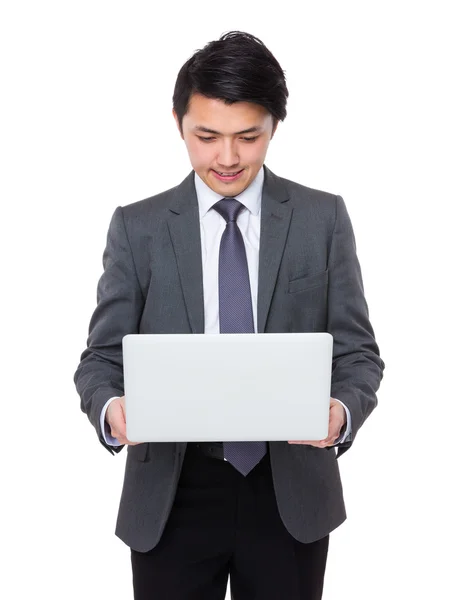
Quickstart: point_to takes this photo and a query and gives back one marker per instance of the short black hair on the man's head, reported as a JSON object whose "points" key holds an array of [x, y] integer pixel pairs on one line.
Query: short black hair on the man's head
{"points": [[236, 68]]}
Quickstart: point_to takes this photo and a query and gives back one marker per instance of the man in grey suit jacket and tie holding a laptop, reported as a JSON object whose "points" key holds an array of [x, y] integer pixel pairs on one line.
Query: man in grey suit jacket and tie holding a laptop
{"points": [[261, 513]]}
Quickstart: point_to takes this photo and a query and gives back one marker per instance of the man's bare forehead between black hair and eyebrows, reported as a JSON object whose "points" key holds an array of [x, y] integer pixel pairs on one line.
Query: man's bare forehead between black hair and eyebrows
{"points": [[211, 113]]}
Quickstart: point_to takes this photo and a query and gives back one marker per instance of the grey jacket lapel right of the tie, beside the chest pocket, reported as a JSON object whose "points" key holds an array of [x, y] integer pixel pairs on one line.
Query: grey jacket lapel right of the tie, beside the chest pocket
{"points": [[275, 222]]}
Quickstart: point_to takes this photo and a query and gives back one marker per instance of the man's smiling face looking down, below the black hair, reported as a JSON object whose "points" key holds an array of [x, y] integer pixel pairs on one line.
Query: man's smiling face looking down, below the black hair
{"points": [[226, 139]]}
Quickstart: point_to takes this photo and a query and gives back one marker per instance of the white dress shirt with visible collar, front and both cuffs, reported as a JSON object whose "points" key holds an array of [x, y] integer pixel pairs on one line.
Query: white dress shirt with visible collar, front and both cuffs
{"points": [[212, 226]]}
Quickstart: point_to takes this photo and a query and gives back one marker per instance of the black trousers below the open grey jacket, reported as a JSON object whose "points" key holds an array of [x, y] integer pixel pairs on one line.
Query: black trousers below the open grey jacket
{"points": [[221, 524]]}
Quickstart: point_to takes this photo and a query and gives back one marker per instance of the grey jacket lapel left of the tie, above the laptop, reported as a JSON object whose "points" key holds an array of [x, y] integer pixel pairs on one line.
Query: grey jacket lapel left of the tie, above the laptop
{"points": [[184, 229]]}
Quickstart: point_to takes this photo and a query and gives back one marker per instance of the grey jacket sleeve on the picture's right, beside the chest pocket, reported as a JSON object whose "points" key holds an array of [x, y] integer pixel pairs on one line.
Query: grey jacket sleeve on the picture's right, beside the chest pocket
{"points": [[357, 368]]}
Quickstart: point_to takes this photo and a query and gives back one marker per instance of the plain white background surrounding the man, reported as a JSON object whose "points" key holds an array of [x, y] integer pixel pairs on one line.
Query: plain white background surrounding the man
{"points": [[86, 126]]}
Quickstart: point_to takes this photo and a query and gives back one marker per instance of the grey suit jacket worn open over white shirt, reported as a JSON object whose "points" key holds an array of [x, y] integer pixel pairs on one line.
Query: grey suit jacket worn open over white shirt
{"points": [[309, 280]]}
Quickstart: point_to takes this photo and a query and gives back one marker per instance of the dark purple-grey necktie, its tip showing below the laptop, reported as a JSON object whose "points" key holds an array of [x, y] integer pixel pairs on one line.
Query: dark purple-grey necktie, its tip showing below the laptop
{"points": [[235, 314]]}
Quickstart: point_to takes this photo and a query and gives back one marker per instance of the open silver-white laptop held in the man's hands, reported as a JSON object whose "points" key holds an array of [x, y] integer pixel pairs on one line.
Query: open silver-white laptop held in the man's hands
{"points": [[227, 387]]}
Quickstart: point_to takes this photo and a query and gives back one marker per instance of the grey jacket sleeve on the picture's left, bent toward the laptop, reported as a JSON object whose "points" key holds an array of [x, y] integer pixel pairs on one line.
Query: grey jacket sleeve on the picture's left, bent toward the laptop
{"points": [[120, 304]]}
